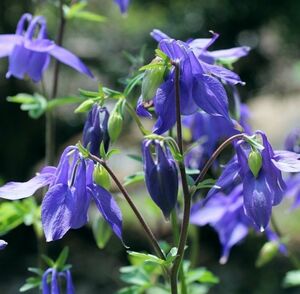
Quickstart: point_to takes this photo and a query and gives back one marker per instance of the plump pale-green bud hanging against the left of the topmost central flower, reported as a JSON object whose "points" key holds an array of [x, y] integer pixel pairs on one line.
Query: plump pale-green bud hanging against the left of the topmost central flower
{"points": [[153, 78]]}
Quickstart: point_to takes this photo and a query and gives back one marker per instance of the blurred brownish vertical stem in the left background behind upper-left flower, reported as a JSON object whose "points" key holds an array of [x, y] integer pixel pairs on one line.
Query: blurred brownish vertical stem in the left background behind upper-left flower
{"points": [[50, 117]]}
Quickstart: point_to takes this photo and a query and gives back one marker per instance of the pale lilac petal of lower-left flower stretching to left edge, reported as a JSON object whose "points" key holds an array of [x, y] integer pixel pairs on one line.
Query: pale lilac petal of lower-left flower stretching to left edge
{"points": [[19, 190]]}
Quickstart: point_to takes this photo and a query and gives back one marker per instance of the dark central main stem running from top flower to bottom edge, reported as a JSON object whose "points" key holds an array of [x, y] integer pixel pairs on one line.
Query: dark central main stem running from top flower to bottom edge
{"points": [[185, 188]]}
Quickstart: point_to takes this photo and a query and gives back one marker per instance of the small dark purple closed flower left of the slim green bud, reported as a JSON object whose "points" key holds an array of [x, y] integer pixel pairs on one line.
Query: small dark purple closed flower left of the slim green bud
{"points": [[96, 129]]}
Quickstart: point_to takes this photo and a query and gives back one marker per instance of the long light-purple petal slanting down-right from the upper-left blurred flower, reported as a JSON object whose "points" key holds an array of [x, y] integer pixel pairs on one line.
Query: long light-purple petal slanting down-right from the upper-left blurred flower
{"points": [[70, 59]]}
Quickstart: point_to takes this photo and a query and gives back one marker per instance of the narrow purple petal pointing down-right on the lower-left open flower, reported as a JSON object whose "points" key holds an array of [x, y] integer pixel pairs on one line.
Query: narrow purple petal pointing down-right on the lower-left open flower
{"points": [[108, 208]]}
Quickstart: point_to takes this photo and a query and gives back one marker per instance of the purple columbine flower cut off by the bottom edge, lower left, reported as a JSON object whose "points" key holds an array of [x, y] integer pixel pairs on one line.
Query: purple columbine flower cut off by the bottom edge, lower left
{"points": [[54, 287]]}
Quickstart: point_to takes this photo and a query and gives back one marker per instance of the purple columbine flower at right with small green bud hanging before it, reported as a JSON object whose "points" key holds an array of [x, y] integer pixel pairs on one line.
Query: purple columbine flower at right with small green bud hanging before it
{"points": [[265, 187]]}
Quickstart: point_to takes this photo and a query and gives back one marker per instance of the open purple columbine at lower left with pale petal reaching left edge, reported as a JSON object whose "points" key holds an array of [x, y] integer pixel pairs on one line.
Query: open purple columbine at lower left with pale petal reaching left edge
{"points": [[71, 190]]}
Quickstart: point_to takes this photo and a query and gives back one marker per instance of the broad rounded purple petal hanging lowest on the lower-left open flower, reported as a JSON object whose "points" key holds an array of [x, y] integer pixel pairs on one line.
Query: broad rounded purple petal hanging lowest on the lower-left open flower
{"points": [[57, 207]]}
